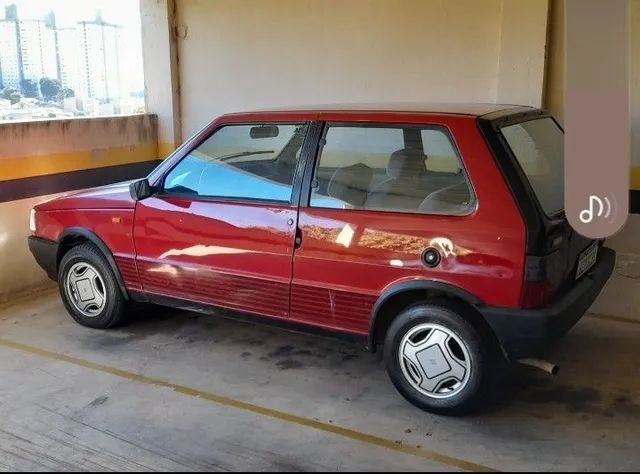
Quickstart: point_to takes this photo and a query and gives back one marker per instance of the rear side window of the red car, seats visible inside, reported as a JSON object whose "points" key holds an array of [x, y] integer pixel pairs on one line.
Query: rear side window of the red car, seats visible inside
{"points": [[391, 168]]}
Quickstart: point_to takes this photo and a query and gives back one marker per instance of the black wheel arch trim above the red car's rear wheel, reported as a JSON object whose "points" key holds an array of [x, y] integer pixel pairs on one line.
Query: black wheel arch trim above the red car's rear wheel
{"points": [[399, 295]]}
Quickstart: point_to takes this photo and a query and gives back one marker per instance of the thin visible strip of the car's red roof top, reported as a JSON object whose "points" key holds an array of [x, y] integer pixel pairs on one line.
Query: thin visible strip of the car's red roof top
{"points": [[453, 108]]}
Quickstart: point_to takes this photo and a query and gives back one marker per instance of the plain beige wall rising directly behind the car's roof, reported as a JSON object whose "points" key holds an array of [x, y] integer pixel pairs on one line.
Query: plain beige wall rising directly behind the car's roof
{"points": [[241, 54]]}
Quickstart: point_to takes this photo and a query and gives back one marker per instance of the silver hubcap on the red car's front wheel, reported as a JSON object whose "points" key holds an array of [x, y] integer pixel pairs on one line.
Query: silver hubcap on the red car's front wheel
{"points": [[86, 289]]}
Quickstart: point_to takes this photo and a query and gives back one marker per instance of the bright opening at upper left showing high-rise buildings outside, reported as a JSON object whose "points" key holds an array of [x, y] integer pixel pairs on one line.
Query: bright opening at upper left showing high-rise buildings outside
{"points": [[70, 61]]}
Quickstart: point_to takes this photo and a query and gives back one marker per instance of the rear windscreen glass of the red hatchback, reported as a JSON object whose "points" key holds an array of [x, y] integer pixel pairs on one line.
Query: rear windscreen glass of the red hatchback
{"points": [[538, 145]]}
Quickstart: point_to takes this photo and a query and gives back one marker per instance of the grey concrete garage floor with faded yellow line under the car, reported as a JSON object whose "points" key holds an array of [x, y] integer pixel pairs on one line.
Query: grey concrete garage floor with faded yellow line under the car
{"points": [[182, 391]]}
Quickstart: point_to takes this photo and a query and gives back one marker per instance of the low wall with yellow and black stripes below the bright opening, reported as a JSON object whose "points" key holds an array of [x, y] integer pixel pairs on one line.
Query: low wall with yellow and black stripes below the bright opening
{"points": [[37, 159]]}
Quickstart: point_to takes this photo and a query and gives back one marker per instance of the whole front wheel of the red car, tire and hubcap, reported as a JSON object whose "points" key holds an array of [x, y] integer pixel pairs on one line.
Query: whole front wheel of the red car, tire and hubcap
{"points": [[89, 288]]}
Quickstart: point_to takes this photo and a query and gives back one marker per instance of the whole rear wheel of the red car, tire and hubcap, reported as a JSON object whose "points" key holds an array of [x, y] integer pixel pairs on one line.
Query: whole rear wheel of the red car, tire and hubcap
{"points": [[438, 359]]}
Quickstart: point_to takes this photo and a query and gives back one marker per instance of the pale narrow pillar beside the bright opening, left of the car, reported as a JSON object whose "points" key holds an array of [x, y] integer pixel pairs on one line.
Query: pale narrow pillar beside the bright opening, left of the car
{"points": [[161, 76]]}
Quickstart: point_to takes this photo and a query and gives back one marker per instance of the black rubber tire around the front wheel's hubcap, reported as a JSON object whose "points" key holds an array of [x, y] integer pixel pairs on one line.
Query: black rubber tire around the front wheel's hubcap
{"points": [[113, 310]]}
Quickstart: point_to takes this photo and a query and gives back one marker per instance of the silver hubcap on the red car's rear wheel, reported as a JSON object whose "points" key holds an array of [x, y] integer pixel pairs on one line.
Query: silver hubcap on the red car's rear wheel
{"points": [[434, 360]]}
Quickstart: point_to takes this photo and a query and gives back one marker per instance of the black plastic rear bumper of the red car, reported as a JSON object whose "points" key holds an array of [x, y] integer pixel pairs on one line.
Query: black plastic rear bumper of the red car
{"points": [[525, 332]]}
